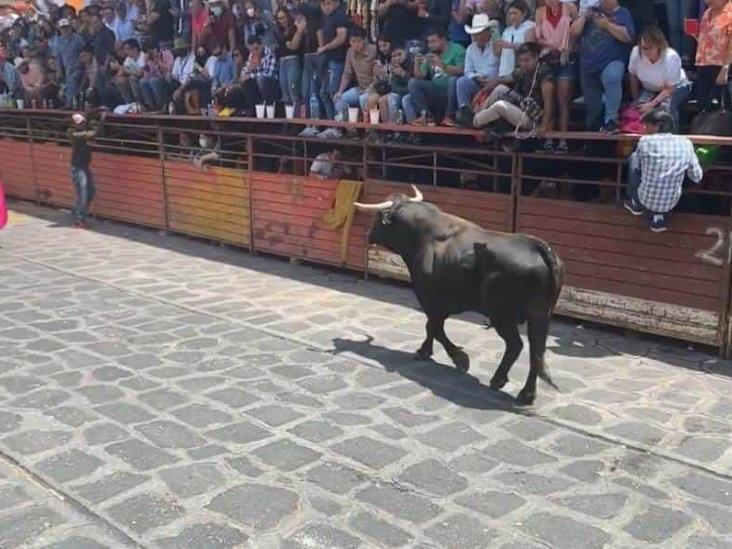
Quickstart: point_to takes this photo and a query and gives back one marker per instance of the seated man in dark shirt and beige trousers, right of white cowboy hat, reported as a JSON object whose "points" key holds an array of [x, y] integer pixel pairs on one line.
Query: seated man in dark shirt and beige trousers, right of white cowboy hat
{"points": [[525, 99]]}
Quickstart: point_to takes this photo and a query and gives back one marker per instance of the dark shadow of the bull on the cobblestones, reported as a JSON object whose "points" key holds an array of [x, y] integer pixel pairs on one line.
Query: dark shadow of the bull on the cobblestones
{"points": [[443, 380]]}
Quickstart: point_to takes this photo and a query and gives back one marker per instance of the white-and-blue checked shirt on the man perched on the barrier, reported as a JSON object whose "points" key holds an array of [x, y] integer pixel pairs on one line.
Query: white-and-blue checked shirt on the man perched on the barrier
{"points": [[664, 160]]}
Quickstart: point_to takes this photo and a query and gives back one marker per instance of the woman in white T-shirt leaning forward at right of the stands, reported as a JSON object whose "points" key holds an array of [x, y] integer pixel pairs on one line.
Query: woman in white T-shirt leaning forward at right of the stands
{"points": [[656, 76]]}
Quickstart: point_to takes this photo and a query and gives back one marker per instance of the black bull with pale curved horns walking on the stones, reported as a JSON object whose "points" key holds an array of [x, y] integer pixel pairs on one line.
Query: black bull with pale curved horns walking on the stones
{"points": [[456, 266]]}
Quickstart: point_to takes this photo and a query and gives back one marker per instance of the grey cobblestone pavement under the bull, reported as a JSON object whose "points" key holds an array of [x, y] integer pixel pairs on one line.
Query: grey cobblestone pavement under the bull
{"points": [[157, 391]]}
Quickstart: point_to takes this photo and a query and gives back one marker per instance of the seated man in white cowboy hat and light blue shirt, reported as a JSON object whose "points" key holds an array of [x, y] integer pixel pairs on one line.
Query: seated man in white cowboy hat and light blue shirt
{"points": [[481, 67]]}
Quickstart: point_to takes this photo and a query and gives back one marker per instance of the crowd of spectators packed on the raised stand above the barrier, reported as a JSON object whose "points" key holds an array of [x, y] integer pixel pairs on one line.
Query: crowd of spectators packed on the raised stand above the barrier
{"points": [[505, 65]]}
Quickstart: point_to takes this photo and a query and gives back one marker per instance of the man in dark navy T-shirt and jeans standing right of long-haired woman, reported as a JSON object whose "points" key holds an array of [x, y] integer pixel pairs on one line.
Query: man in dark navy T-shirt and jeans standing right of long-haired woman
{"points": [[334, 38]]}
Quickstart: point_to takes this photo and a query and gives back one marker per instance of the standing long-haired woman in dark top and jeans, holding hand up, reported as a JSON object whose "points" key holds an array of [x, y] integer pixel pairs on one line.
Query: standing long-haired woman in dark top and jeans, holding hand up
{"points": [[290, 44]]}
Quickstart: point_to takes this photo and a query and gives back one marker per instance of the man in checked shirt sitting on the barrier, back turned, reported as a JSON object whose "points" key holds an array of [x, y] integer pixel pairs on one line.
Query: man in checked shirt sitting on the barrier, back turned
{"points": [[657, 169]]}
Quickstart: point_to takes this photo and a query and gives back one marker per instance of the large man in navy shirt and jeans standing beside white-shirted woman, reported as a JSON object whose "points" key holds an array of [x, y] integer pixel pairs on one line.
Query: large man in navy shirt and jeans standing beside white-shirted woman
{"points": [[606, 34]]}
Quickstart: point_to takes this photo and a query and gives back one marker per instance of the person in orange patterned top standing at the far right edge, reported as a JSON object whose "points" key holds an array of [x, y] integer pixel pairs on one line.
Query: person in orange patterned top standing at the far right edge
{"points": [[714, 52]]}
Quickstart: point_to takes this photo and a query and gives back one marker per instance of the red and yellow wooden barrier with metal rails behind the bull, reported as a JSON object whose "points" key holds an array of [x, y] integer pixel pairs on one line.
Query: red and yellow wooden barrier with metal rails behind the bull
{"points": [[258, 194]]}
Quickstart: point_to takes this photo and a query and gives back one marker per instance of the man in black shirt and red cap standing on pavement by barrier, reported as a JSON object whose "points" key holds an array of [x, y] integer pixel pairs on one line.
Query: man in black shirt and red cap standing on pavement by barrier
{"points": [[80, 133]]}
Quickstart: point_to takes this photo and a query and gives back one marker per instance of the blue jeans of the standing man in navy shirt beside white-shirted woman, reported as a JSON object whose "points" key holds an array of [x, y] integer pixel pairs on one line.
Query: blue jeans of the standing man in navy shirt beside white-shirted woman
{"points": [[603, 93]]}
